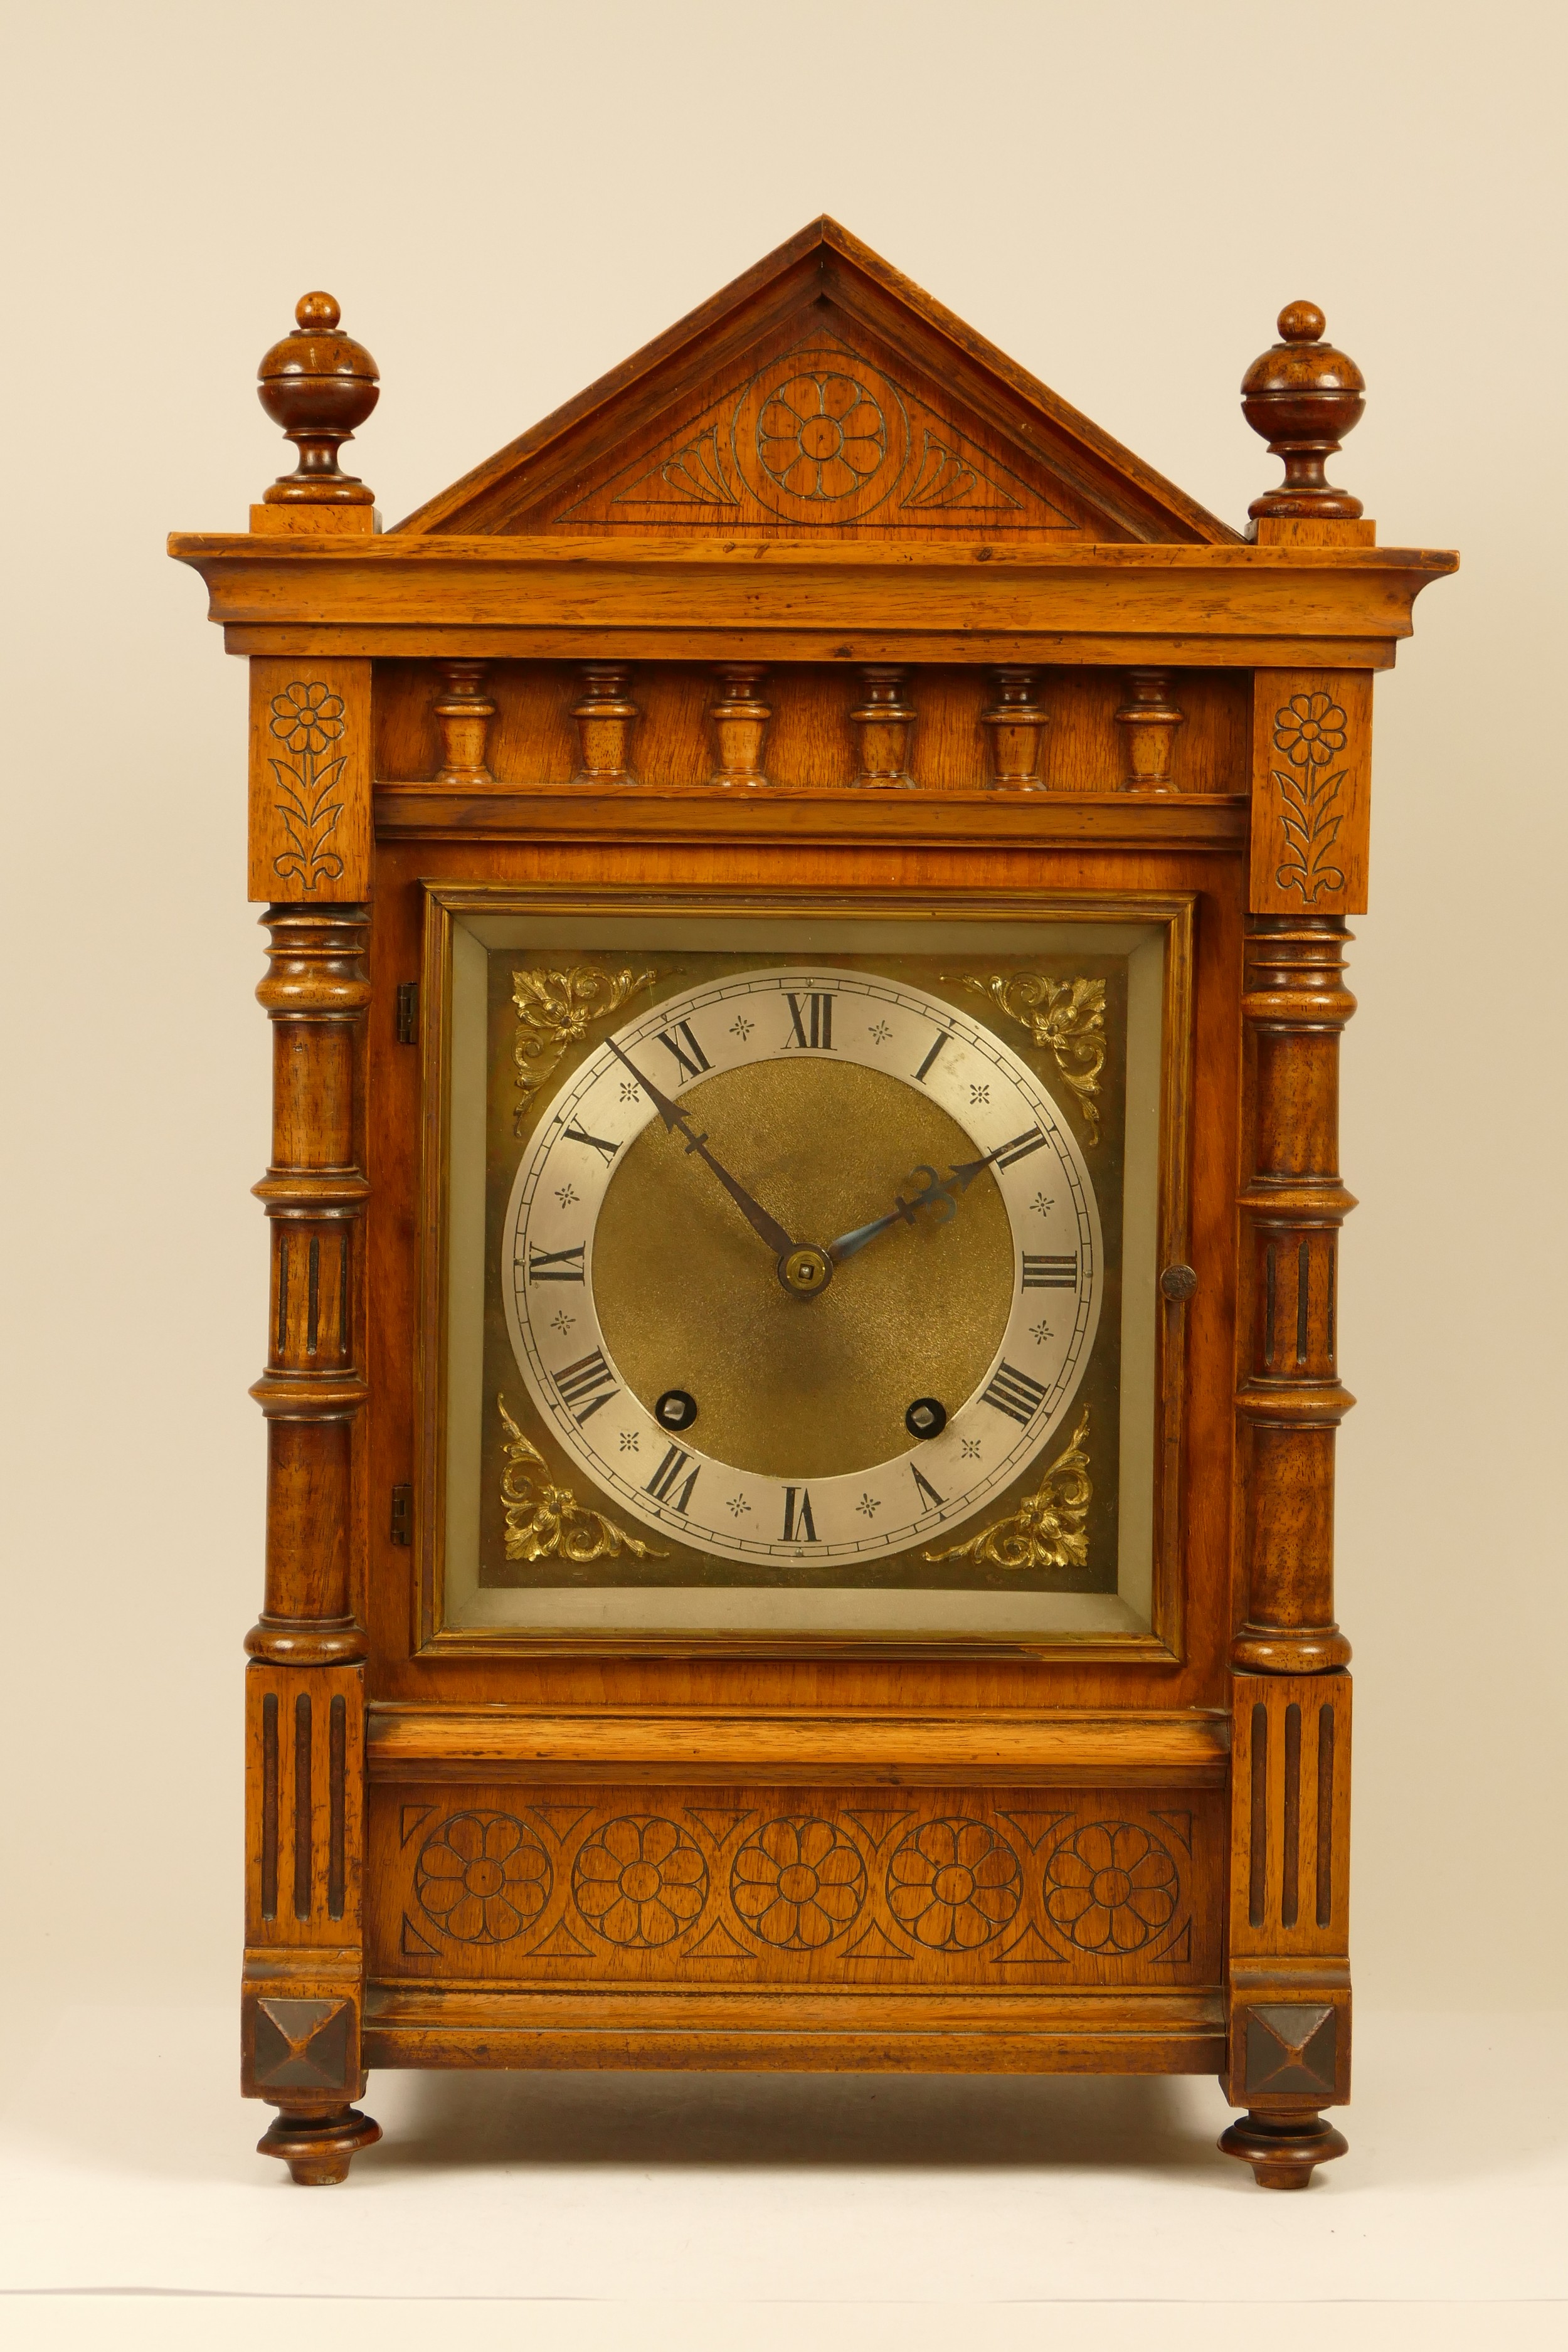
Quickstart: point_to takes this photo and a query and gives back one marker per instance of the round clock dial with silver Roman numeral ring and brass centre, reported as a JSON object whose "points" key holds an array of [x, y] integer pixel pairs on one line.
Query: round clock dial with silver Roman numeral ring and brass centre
{"points": [[803, 1264]]}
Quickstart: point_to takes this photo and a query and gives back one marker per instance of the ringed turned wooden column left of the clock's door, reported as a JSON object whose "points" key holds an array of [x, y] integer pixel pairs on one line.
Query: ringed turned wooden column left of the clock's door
{"points": [[316, 994]]}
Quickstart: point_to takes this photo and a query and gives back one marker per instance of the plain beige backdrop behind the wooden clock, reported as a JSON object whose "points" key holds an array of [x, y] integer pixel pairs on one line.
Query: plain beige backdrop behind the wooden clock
{"points": [[509, 199]]}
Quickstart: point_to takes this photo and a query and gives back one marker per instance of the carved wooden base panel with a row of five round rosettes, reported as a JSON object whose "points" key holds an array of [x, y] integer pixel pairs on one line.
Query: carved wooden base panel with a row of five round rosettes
{"points": [[815, 1890]]}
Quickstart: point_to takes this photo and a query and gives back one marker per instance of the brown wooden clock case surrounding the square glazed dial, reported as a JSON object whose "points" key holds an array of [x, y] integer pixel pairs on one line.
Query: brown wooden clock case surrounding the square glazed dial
{"points": [[974, 650]]}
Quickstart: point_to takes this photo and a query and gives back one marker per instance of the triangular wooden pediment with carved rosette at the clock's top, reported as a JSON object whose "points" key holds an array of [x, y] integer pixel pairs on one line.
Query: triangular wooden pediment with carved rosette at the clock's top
{"points": [[819, 394]]}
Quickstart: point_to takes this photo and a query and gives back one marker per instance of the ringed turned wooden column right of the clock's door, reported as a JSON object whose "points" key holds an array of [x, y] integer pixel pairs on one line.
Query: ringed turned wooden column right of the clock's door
{"points": [[1289, 1398]]}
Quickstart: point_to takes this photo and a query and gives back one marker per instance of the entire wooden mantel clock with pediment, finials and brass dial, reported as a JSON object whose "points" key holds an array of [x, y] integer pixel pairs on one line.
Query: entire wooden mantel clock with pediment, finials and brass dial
{"points": [[808, 926]]}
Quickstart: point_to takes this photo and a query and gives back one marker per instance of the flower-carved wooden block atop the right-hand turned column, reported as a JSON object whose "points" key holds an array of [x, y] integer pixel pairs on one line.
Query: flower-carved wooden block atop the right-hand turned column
{"points": [[1313, 742]]}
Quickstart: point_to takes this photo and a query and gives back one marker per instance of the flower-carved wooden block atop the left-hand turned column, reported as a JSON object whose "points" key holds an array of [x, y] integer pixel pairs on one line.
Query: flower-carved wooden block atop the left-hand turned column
{"points": [[309, 782]]}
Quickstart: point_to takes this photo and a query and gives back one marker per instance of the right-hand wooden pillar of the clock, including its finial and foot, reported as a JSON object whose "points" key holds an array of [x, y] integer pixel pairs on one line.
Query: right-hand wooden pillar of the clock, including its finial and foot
{"points": [[1292, 1704]]}
